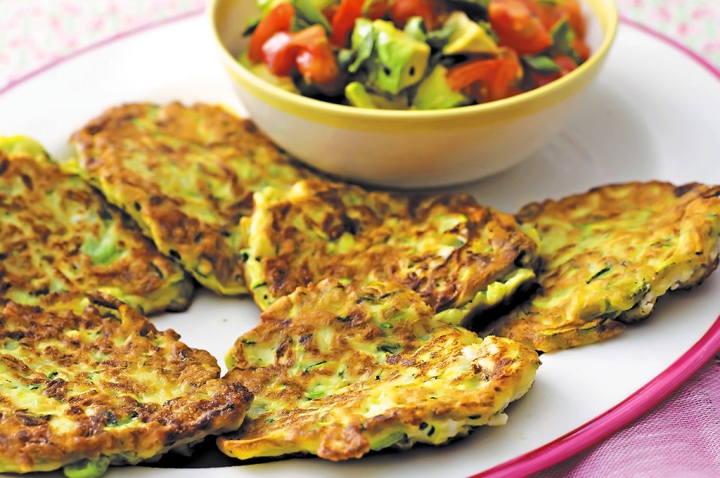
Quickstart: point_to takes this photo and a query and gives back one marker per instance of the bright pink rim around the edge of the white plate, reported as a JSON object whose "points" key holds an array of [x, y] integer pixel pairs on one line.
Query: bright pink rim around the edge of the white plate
{"points": [[596, 429]]}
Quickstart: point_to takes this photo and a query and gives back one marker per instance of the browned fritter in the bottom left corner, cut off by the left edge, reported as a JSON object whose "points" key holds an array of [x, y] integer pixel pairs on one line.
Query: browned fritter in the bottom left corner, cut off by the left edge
{"points": [[91, 383]]}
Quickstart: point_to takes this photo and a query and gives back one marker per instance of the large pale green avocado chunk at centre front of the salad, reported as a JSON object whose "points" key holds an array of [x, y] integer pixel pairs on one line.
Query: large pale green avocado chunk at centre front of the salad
{"points": [[399, 60]]}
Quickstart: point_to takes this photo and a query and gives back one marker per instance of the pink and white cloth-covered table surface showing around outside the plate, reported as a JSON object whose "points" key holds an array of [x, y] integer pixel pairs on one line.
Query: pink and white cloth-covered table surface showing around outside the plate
{"points": [[679, 437]]}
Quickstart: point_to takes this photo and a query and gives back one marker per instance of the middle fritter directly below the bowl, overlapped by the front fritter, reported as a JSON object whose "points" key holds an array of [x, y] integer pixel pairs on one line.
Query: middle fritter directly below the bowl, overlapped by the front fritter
{"points": [[459, 256]]}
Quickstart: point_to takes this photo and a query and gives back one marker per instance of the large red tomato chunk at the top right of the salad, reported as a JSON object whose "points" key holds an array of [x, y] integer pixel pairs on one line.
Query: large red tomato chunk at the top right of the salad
{"points": [[518, 27]]}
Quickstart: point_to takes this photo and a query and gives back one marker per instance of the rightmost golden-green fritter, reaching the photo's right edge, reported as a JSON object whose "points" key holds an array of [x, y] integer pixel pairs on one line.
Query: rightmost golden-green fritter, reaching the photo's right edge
{"points": [[609, 254]]}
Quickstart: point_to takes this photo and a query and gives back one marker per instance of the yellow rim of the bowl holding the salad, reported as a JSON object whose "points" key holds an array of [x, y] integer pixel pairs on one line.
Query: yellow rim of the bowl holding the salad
{"points": [[375, 119]]}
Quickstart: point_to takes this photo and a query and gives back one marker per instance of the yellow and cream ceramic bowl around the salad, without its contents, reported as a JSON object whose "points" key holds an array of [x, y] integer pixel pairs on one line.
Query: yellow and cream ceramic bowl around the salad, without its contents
{"points": [[408, 148]]}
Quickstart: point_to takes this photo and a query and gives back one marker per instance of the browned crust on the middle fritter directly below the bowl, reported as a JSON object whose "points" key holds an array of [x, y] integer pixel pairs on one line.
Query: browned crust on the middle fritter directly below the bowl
{"points": [[495, 243]]}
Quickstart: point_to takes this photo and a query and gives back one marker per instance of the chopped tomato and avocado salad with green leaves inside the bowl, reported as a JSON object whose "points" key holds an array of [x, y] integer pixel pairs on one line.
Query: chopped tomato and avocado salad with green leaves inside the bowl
{"points": [[414, 54]]}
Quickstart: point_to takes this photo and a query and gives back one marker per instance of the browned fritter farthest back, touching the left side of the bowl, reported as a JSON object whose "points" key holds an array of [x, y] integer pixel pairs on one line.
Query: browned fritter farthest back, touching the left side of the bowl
{"points": [[186, 175]]}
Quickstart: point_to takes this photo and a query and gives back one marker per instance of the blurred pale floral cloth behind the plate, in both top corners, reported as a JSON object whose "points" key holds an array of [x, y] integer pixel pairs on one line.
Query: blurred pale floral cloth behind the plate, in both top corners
{"points": [[36, 32]]}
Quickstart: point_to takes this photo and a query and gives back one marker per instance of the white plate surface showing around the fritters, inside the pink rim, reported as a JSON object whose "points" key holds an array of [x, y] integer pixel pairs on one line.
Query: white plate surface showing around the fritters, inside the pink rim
{"points": [[651, 115]]}
